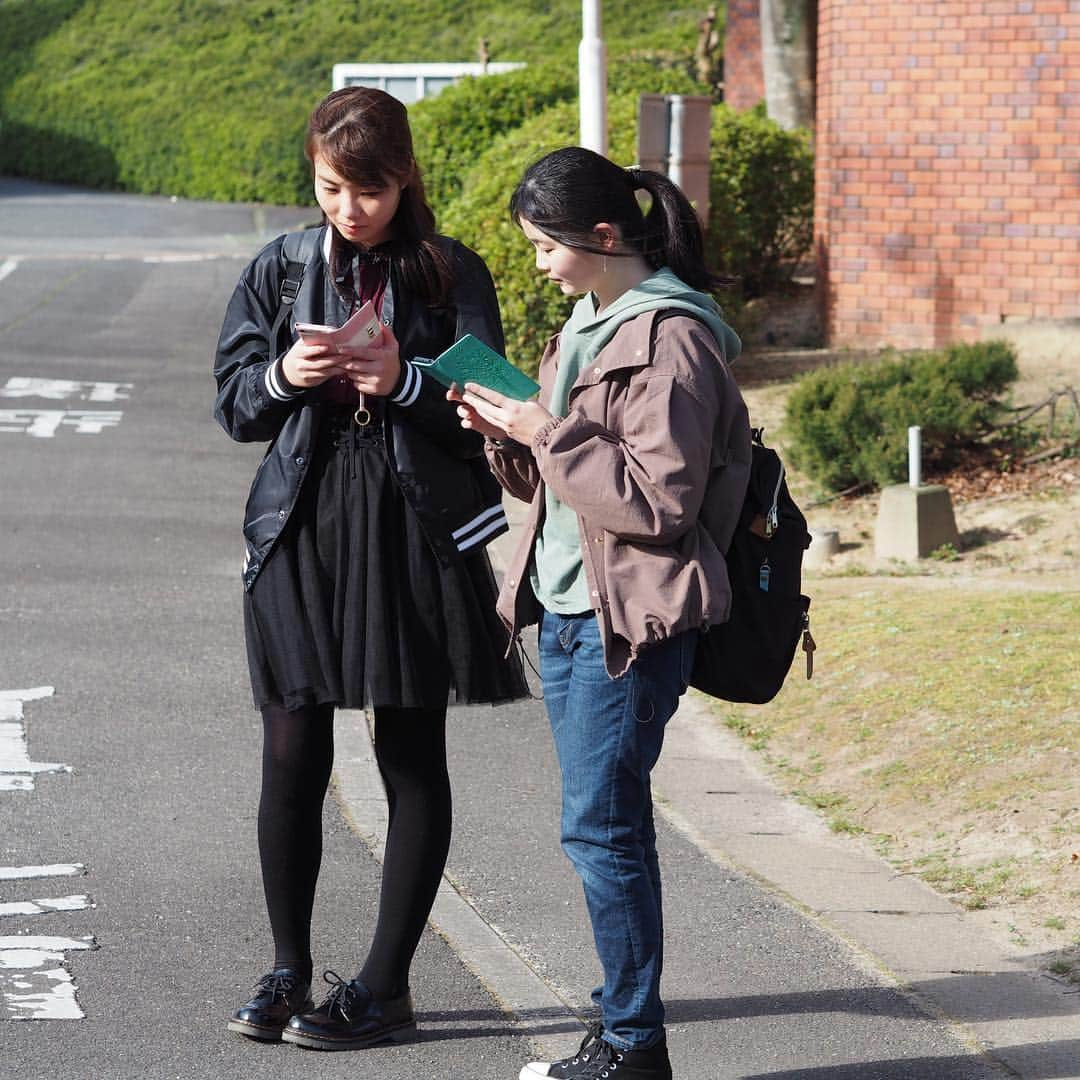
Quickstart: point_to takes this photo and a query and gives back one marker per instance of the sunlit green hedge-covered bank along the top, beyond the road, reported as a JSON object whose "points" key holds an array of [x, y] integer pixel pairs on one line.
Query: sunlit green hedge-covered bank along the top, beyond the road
{"points": [[209, 99]]}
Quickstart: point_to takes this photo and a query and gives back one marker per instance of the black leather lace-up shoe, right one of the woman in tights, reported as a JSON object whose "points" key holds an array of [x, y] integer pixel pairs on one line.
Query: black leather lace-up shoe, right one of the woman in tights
{"points": [[350, 1019]]}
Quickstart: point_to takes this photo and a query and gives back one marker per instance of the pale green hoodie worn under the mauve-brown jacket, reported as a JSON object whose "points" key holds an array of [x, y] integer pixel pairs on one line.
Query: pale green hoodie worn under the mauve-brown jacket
{"points": [[558, 574]]}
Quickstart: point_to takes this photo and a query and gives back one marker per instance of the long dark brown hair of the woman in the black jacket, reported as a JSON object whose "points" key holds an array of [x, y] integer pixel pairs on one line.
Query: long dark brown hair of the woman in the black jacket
{"points": [[363, 134]]}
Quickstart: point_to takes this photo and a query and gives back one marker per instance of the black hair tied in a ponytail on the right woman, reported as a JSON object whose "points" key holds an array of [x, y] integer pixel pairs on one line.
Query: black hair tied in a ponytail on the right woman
{"points": [[568, 193]]}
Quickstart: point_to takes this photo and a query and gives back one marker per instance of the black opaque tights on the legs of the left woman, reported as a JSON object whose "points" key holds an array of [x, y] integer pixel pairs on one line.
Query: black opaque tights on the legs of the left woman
{"points": [[298, 758]]}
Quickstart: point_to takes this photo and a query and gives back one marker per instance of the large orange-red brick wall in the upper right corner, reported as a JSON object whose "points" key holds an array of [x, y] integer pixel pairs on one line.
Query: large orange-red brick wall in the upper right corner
{"points": [[949, 168]]}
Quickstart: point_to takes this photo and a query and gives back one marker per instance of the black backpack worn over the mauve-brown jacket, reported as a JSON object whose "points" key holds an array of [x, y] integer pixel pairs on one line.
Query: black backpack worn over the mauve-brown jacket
{"points": [[748, 658]]}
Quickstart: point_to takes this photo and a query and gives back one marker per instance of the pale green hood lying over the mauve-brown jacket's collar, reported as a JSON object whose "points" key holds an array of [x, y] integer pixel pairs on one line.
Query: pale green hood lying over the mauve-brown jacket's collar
{"points": [[663, 290]]}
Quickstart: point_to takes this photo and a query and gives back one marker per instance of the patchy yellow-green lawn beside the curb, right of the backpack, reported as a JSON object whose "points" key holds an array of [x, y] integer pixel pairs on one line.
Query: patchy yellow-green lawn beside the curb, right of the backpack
{"points": [[936, 714]]}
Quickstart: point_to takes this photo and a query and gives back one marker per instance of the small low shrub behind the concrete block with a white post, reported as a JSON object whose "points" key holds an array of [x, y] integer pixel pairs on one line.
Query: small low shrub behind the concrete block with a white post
{"points": [[848, 425]]}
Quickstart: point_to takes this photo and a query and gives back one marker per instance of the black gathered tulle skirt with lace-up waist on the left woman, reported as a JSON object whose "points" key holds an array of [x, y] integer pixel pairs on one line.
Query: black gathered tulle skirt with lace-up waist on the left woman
{"points": [[354, 609]]}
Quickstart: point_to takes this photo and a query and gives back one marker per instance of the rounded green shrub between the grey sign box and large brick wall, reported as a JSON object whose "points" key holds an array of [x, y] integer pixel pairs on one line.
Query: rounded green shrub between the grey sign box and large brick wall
{"points": [[761, 214]]}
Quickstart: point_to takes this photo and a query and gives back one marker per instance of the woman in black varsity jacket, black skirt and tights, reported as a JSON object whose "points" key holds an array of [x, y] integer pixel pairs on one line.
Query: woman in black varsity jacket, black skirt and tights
{"points": [[367, 582]]}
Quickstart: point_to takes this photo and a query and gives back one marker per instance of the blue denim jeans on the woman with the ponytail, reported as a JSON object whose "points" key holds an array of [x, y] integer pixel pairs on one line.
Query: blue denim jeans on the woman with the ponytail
{"points": [[609, 735]]}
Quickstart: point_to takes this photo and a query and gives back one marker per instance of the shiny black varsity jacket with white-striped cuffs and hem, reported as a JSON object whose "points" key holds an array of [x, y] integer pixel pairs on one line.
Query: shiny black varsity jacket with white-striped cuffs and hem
{"points": [[440, 466]]}
